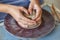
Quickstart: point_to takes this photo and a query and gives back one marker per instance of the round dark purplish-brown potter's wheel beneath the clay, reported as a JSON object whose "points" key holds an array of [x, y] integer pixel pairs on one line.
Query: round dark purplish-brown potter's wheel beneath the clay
{"points": [[46, 27]]}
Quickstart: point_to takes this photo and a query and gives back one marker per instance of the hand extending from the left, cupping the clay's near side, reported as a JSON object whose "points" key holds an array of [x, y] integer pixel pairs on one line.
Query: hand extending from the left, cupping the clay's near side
{"points": [[15, 12]]}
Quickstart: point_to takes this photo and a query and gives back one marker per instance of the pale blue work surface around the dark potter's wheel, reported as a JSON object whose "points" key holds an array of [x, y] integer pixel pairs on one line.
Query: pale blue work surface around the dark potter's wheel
{"points": [[54, 35]]}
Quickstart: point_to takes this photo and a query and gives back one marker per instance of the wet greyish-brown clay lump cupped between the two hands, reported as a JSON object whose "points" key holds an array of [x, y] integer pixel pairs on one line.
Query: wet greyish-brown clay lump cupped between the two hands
{"points": [[31, 17]]}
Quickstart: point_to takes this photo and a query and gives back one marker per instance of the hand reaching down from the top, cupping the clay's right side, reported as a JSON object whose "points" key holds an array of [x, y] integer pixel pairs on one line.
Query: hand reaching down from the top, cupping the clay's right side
{"points": [[35, 5]]}
